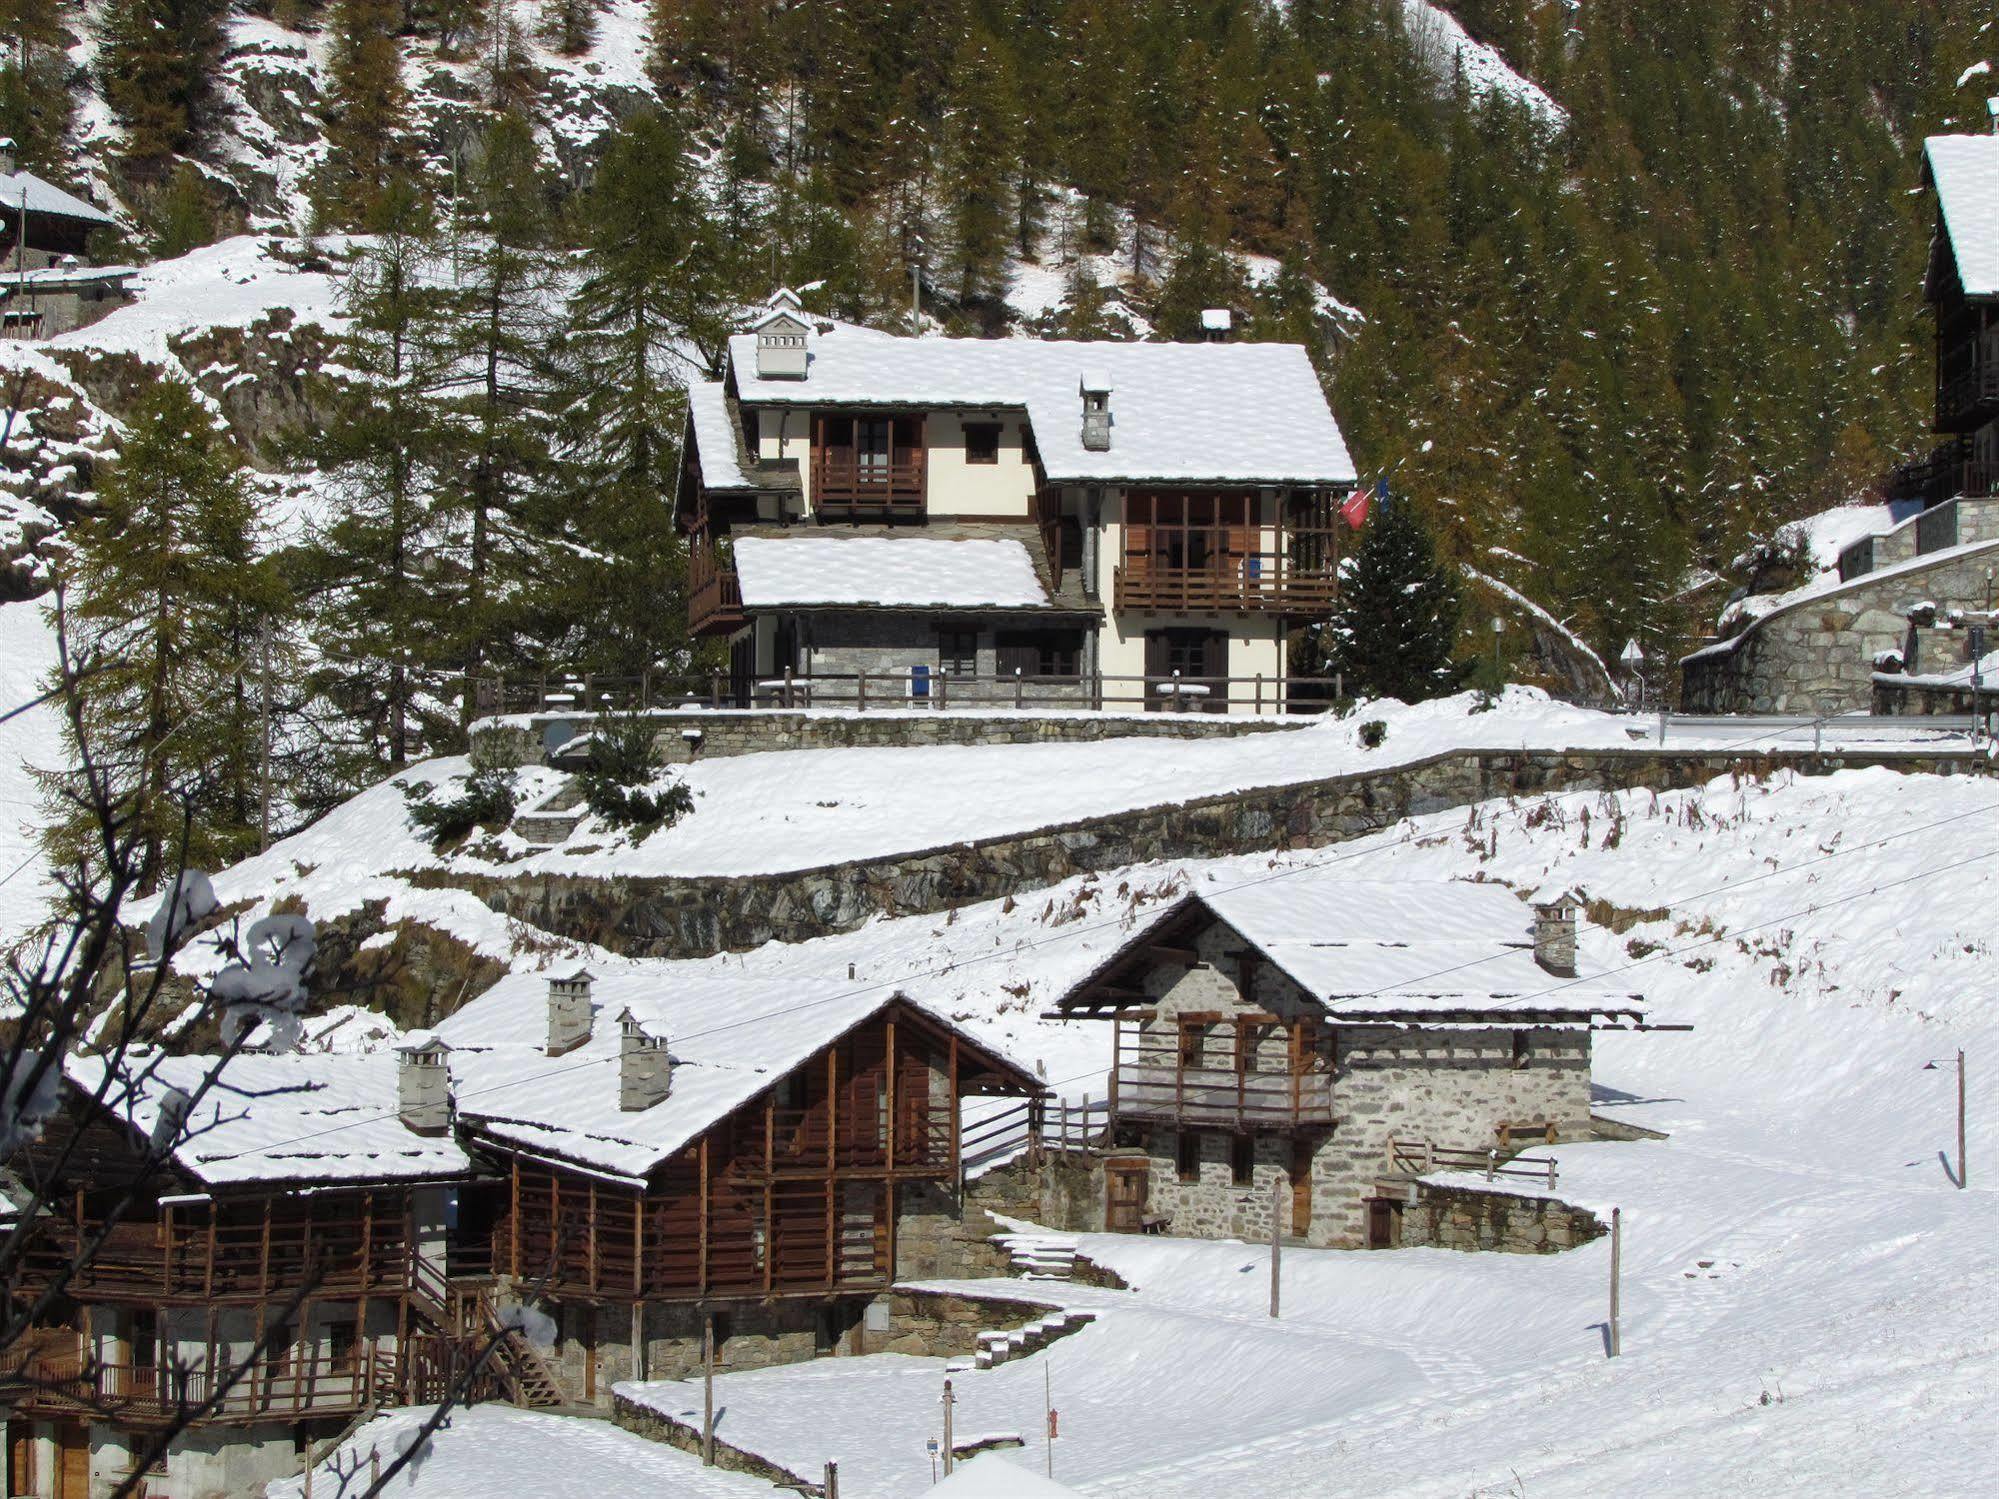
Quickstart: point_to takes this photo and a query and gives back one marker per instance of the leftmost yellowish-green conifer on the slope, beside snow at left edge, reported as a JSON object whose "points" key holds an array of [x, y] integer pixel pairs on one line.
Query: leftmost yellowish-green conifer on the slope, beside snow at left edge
{"points": [[165, 601]]}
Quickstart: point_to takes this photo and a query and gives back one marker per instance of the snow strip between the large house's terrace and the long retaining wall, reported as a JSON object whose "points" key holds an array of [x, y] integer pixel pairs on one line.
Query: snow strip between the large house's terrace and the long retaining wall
{"points": [[803, 810]]}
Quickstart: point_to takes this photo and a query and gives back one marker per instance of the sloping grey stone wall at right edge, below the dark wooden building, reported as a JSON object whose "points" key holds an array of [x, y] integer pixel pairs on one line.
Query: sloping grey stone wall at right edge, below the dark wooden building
{"points": [[1820, 657]]}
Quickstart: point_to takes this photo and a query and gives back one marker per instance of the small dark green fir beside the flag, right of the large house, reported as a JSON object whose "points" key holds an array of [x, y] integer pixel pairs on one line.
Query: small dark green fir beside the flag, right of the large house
{"points": [[1396, 627]]}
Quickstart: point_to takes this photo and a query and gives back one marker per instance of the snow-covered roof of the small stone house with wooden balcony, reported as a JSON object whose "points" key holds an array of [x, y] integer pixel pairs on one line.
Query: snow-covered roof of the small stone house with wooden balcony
{"points": [[1400, 948]]}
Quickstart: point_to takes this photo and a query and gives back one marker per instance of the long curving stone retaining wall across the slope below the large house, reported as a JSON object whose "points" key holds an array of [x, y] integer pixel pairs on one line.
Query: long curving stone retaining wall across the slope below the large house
{"points": [[703, 914]]}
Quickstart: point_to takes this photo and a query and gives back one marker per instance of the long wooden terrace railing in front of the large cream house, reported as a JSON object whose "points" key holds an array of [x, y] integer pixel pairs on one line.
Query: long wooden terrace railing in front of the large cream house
{"points": [[585, 697]]}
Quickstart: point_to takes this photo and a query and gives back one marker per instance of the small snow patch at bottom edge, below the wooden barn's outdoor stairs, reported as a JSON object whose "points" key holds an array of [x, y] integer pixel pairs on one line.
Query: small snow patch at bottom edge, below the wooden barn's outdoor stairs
{"points": [[495, 1450]]}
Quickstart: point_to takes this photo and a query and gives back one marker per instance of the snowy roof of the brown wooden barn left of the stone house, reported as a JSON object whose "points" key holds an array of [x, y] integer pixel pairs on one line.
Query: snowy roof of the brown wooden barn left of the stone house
{"points": [[731, 1036]]}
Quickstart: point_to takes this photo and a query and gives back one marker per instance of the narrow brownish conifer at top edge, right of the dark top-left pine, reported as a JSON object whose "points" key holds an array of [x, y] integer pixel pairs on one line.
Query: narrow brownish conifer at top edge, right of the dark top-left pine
{"points": [[369, 101]]}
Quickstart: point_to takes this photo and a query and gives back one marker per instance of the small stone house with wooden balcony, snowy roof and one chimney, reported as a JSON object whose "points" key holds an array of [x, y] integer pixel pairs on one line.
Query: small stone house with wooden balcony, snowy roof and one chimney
{"points": [[1282, 1048]]}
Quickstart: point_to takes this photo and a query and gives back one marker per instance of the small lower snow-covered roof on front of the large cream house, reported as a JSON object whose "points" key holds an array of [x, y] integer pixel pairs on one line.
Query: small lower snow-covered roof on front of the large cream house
{"points": [[887, 573]]}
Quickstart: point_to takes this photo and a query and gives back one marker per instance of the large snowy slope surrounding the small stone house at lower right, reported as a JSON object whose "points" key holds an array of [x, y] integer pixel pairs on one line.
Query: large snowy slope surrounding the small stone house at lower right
{"points": [[1808, 1298]]}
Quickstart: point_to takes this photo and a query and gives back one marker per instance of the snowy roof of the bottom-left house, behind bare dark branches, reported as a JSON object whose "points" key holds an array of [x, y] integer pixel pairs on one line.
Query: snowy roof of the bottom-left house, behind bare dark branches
{"points": [[305, 1118]]}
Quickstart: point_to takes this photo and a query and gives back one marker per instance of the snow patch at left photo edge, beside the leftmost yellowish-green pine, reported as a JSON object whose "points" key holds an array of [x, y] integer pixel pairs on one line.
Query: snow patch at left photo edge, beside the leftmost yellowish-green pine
{"points": [[31, 741]]}
